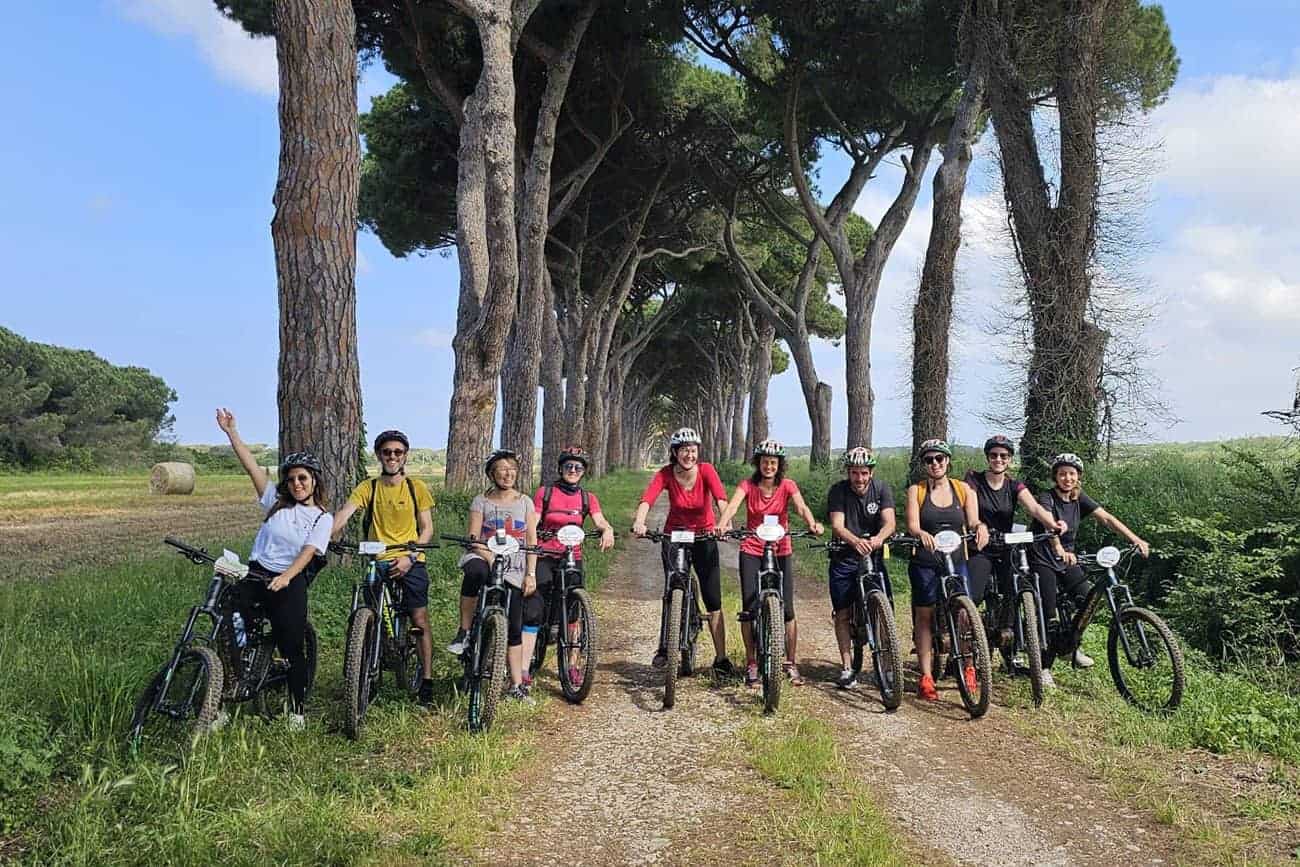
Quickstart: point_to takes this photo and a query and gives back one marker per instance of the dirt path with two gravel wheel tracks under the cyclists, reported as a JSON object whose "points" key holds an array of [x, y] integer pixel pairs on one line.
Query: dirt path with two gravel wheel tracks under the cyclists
{"points": [[619, 781]]}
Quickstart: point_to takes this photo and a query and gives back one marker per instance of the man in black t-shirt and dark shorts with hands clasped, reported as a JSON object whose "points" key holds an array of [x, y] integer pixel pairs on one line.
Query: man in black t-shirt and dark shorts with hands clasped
{"points": [[863, 515]]}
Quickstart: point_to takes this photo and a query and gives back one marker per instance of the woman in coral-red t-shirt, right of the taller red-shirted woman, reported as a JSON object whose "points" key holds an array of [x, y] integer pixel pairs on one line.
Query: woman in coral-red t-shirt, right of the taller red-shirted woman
{"points": [[768, 493]]}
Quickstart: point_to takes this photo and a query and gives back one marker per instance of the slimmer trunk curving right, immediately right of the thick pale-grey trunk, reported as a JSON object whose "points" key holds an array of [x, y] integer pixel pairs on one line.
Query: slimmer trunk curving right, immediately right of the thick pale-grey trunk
{"points": [[519, 389]]}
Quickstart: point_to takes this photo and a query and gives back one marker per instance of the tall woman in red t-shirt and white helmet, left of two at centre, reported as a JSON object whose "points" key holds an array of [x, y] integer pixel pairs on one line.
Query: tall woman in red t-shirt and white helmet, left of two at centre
{"points": [[694, 489]]}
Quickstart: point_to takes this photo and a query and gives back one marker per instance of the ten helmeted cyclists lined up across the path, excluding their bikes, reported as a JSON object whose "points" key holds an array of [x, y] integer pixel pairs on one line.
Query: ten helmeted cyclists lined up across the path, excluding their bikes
{"points": [[398, 509]]}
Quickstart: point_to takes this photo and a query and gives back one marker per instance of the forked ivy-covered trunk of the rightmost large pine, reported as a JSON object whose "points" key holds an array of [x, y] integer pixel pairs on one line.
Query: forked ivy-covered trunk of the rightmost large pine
{"points": [[1055, 242]]}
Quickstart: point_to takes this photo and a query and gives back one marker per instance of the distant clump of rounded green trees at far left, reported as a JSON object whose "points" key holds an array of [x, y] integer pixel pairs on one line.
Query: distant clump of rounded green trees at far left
{"points": [[71, 409]]}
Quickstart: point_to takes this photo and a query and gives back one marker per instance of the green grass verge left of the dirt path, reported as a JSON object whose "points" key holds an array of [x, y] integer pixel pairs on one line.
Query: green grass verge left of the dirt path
{"points": [[75, 653]]}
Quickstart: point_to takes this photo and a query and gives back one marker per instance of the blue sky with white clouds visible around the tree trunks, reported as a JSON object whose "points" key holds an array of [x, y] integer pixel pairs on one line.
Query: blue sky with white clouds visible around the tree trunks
{"points": [[138, 172]]}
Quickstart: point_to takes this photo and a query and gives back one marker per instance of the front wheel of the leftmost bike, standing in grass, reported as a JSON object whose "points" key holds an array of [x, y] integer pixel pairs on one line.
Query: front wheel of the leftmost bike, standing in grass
{"points": [[192, 699]]}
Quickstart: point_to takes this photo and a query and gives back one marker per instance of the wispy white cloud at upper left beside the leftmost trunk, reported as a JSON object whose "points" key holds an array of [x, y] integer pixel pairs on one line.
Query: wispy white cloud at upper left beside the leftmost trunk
{"points": [[224, 45]]}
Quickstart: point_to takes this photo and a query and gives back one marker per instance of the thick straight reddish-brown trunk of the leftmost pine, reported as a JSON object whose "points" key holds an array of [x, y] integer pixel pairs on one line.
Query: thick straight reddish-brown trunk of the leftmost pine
{"points": [[314, 232]]}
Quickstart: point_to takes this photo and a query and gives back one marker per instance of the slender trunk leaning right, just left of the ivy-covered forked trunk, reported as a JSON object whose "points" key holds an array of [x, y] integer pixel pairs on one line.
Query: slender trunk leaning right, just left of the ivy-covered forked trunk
{"points": [[933, 314]]}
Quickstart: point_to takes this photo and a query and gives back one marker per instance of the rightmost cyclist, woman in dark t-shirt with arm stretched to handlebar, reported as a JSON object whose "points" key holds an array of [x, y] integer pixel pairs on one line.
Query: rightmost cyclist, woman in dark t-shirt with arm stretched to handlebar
{"points": [[1055, 561]]}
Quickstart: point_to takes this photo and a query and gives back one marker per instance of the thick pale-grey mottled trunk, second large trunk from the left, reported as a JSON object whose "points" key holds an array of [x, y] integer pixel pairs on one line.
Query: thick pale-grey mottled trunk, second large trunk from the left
{"points": [[487, 240]]}
